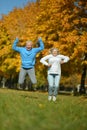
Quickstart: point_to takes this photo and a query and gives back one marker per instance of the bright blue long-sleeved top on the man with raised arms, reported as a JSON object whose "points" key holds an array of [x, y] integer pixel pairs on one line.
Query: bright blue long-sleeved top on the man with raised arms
{"points": [[28, 57]]}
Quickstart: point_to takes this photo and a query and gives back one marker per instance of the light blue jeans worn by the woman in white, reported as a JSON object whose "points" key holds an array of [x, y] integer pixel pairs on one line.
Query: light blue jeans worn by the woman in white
{"points": [[53, 81]]}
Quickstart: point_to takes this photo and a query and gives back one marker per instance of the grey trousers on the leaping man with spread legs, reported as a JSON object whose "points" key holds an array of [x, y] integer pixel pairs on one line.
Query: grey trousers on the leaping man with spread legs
{"points": [[31, 74]]}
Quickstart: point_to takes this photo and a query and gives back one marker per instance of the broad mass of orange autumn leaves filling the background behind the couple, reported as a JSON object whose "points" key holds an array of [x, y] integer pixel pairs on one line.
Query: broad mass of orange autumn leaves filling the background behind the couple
{"points": [[56, 21]]}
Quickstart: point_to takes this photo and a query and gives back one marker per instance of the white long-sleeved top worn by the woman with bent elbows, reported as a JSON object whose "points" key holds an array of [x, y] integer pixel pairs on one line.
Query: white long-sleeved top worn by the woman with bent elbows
{"points": [[55, 62]]}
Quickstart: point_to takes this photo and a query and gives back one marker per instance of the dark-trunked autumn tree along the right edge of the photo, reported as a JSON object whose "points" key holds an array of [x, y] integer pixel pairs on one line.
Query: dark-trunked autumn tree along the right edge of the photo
{"points": [[82, 31]]}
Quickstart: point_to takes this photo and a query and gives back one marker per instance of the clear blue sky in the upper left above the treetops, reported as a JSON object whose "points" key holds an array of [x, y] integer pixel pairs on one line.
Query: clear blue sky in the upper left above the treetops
{"points": [[8, 5]]}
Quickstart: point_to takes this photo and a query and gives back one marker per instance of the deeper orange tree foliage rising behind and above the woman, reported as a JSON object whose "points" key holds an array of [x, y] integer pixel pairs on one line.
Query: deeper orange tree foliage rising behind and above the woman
{"points": [[58, 23]]}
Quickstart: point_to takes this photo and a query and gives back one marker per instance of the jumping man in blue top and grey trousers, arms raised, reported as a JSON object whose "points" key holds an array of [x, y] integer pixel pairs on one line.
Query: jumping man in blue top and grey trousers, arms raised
{"points": [[28, 57]]}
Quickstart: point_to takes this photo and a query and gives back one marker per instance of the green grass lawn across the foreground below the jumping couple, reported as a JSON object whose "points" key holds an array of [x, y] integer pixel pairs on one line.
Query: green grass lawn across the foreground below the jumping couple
{"points": [[24, 110]]}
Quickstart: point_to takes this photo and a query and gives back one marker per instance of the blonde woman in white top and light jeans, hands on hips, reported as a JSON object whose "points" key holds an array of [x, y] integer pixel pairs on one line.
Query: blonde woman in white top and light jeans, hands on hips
{"points": [[54, 61]]}
